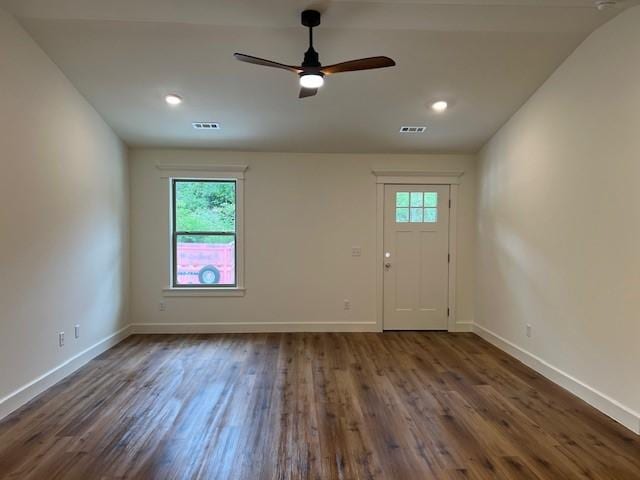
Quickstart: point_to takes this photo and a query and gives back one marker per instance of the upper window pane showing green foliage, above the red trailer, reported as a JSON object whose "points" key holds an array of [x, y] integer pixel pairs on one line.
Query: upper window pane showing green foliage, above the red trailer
{"points": [[205, 206]]}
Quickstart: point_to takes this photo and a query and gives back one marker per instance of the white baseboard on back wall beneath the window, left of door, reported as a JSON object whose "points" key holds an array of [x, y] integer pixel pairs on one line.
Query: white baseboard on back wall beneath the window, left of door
{"points": [[252, 327]]}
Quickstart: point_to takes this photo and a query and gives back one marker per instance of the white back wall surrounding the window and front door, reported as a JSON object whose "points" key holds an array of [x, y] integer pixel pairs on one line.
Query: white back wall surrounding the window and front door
{"points": [[303, 214]]}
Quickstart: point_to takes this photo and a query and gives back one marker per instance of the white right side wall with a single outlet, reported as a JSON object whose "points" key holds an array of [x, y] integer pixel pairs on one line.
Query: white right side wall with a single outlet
{"points": [[559, 223]]}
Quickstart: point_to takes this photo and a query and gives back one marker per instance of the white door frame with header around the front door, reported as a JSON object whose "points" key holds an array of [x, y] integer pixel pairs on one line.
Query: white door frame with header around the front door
{"points": [[416, 177]]}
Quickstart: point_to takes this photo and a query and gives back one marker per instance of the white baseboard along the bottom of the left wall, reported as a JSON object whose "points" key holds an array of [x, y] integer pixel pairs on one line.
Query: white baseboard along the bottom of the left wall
{"points": [[27, 392]]}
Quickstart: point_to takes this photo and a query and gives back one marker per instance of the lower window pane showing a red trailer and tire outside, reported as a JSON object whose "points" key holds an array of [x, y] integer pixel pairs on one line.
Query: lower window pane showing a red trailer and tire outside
{"points": [[206, 260]]}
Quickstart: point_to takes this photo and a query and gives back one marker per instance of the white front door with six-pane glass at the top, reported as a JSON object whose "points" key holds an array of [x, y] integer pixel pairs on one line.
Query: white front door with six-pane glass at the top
{"points": [[416, 257]]}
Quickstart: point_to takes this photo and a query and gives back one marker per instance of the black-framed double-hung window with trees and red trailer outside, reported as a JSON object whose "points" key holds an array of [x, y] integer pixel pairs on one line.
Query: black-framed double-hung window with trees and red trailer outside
{"points": [[204, 233]]}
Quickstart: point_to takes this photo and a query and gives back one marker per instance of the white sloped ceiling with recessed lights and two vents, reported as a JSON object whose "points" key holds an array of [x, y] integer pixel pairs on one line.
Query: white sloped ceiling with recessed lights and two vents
{"points": [[484, 57]]}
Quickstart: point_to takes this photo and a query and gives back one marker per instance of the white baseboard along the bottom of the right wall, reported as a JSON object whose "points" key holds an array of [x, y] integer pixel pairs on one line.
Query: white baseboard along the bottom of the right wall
{"points": [[607, 405]]}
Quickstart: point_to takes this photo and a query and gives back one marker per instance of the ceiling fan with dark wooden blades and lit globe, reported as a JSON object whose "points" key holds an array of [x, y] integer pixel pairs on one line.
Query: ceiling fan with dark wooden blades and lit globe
{"points": [[311, 72]]}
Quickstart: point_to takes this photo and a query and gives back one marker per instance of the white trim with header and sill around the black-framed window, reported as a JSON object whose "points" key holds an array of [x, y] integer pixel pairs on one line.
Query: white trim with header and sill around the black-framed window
{"points": [[208, 172]]}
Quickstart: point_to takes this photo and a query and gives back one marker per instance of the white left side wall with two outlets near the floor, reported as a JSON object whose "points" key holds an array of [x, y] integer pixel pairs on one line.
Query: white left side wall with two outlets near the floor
{"points": [[63, 220]]}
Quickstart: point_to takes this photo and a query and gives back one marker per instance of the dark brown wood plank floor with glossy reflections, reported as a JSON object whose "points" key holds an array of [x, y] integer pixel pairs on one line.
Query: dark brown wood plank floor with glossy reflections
{"points": [[393, 406]]}
